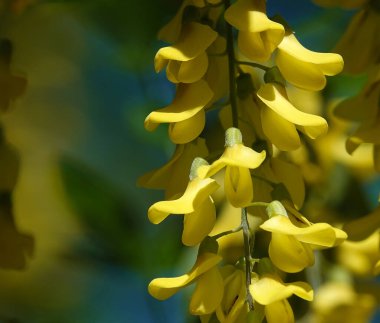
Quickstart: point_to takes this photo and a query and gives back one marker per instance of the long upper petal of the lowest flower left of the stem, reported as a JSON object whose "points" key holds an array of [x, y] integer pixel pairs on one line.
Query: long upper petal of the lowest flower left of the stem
{"points": [[163, 288]]}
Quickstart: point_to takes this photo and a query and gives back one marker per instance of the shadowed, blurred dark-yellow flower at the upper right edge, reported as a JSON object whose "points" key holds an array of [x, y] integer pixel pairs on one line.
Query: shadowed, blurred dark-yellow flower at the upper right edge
{"points": [[360, 45]]}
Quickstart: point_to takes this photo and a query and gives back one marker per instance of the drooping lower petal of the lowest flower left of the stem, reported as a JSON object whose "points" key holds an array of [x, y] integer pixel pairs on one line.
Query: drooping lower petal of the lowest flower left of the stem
{"points": [[208, 293]]}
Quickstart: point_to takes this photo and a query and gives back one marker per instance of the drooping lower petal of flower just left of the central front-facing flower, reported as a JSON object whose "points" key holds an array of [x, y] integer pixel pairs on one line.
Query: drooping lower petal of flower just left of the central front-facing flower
{"points": [[198, 224]]}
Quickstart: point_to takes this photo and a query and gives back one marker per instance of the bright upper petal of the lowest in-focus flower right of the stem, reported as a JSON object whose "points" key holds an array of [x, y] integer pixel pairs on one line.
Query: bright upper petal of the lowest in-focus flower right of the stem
{"points": [[270, 289]]}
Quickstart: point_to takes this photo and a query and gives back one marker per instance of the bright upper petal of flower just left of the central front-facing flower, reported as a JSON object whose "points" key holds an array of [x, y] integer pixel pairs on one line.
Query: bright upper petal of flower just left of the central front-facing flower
{"points": [[197, 191]]}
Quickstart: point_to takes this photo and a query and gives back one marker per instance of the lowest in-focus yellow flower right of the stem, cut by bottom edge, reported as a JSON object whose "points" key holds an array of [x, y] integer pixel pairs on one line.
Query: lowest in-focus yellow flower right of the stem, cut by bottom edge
{"points": [[270, 291]]}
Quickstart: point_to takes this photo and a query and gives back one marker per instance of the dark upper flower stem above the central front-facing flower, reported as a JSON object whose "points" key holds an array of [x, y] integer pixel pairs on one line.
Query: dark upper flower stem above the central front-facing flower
{"points": [[231, 69]]}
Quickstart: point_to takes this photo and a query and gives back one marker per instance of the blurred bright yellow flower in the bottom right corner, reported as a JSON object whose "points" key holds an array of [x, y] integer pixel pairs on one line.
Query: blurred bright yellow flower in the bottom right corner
{"points": [[337, 302]]}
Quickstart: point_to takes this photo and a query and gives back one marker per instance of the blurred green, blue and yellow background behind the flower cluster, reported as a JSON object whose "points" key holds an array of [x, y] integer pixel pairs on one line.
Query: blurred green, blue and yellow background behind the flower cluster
{"points": [[82, 82]]}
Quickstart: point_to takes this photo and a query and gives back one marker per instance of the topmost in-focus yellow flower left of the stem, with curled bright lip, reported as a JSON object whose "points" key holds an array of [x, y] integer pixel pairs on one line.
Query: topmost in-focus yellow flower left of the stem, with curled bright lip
{"points": [[187, 60]]}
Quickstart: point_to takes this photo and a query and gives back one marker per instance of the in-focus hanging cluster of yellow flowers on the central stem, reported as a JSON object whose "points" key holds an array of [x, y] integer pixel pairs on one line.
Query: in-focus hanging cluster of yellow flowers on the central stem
{"points": [[247, 79]]}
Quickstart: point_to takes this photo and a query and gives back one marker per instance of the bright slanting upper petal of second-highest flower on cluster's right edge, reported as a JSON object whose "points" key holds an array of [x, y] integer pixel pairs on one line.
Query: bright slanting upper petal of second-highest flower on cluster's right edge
{"points": [[313, 125]]}
